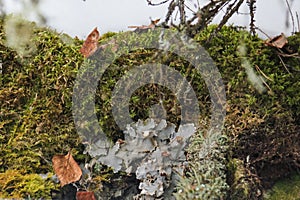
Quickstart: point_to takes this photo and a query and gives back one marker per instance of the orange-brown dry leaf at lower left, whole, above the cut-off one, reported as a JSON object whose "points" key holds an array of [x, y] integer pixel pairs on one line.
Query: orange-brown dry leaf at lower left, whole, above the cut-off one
{"points": [[66, 169]]}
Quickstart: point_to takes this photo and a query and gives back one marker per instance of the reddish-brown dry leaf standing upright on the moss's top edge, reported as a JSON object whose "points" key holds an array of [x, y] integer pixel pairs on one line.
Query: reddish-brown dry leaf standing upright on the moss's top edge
{"points": [[90, 45]]}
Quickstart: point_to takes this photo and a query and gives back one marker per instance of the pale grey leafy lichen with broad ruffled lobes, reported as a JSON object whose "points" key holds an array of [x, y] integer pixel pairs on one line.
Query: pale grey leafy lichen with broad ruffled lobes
{"points": [[152, 150]]}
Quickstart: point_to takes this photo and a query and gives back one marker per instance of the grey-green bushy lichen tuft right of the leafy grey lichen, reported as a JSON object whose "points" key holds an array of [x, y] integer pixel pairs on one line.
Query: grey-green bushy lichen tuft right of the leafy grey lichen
{"points": [[206, 178]]}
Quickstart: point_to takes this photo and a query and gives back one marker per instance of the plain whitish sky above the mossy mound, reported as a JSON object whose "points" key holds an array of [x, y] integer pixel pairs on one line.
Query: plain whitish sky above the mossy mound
{"points": [[78, 17]]}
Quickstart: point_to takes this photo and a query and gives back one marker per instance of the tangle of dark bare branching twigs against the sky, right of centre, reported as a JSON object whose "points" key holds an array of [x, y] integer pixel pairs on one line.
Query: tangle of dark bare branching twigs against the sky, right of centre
{"points": [[203, 15]]}
